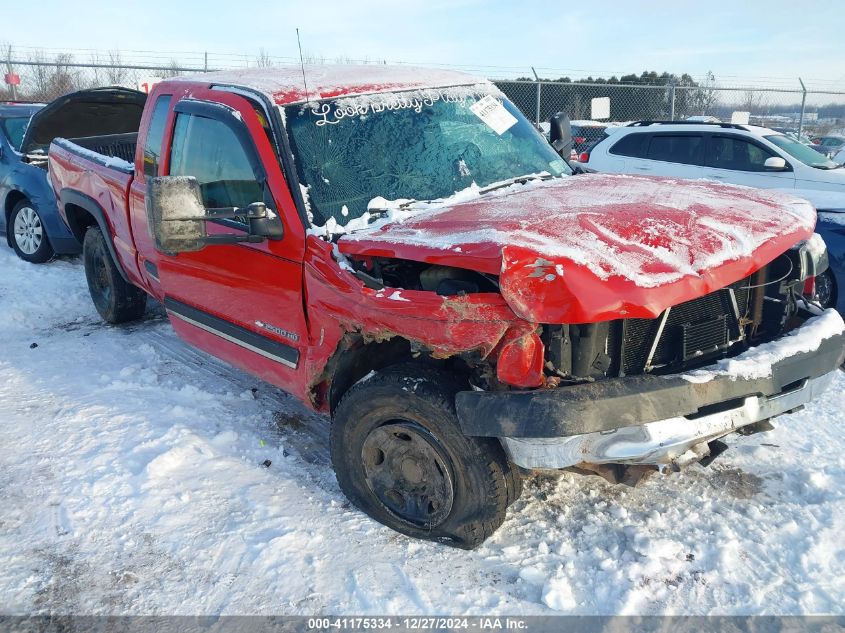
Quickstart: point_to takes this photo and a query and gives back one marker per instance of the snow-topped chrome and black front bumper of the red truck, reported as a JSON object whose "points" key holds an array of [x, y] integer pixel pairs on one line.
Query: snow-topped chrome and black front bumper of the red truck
{"points": [[658, 419]]}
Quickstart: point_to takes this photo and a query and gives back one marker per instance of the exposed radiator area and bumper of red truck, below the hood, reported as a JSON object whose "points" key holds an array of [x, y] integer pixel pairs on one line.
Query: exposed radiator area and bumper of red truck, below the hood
{"points": [[656, 394]]}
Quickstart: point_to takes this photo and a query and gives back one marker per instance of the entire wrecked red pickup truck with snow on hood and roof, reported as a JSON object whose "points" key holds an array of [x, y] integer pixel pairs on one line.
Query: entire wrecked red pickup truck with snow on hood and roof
{"points": [[402, 250]]}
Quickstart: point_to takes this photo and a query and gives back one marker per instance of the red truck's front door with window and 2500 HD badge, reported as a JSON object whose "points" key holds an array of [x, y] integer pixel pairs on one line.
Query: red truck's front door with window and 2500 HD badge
{"points": [[240, 302]]}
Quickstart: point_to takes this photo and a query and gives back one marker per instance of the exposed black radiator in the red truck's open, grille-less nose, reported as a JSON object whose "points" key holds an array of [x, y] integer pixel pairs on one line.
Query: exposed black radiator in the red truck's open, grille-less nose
{"points": [[694, 331]]}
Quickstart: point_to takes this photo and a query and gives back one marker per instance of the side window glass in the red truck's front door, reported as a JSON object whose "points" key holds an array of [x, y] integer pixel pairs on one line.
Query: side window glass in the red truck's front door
{"points": [[210, 151]]}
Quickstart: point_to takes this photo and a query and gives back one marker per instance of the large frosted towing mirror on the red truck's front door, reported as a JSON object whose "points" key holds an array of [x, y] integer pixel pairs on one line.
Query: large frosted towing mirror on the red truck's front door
{"points": [[177, 218]]}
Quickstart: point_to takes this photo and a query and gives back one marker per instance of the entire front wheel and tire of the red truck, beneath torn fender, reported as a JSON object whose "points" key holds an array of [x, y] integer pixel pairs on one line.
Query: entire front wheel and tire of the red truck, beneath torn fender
{"points": [[400, 456]]}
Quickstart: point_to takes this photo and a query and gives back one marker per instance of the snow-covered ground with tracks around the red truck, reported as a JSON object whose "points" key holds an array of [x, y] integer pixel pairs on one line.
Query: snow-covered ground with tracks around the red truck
{"points": [[131, 481]]}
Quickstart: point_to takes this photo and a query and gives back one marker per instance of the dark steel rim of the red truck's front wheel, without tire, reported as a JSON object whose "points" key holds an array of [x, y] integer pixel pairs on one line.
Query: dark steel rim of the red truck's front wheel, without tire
{"points": [[406, 470]]}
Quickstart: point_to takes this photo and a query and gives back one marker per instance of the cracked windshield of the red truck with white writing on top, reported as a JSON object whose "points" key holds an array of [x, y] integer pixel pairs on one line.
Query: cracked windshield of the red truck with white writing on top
{"points": [[419, 145]]}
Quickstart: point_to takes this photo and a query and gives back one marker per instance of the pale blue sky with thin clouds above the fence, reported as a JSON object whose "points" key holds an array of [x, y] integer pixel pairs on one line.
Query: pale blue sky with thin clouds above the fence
{"points": [[772, 41]]}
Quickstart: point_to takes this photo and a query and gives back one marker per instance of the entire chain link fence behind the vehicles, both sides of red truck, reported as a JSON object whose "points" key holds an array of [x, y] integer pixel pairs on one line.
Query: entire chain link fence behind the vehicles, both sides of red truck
{"points": [[44, 75]]}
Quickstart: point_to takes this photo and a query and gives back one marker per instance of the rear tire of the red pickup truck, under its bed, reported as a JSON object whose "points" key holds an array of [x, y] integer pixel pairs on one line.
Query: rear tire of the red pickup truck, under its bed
{"points": [[116, 300]]}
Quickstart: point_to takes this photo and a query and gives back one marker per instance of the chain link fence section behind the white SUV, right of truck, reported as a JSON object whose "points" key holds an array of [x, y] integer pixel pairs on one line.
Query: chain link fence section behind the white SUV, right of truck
{"points": [[817, 112]]}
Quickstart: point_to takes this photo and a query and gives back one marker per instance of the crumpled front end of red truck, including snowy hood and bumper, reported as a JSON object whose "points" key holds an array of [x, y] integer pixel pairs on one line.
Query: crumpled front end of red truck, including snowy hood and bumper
{"points": [[608, 339]]}
